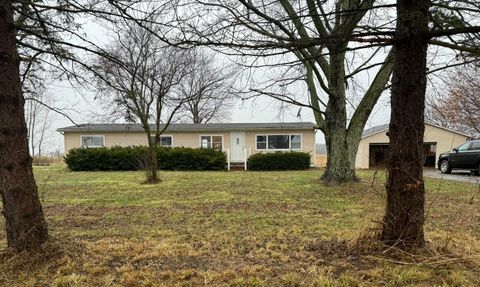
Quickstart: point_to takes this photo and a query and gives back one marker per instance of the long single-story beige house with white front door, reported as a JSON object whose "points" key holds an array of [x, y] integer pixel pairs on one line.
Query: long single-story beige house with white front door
{"points": [[238, 140]]}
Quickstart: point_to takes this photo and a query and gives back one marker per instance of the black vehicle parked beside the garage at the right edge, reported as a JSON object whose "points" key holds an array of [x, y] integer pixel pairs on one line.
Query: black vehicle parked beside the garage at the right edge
{"points": [[466, 156]]}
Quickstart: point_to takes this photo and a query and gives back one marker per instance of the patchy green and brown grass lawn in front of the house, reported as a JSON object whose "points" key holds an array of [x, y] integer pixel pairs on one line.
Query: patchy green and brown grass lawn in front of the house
{"points": [[239, 229]]}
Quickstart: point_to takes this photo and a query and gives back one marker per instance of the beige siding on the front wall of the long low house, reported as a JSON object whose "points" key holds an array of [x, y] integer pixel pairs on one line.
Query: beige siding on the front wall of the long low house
{"points": [[72, 139]]}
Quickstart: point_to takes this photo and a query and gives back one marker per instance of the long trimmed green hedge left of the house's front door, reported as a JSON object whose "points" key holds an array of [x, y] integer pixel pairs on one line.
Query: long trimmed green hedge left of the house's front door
{"points": [[133, 158]]}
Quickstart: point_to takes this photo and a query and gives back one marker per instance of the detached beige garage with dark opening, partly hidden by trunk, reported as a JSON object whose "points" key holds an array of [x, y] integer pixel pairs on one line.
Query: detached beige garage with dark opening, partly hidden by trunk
{"points": [[373, 147]]}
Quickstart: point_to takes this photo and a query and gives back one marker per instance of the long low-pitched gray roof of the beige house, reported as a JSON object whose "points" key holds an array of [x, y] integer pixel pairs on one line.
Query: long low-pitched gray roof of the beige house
{"points": [[210, 127]]}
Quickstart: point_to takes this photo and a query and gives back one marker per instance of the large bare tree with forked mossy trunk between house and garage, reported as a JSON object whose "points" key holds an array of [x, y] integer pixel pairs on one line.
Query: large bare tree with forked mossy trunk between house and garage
{"points": [[309, 41]]}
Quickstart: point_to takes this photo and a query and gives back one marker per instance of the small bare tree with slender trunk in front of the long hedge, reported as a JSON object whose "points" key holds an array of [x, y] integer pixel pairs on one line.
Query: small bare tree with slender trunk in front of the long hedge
{"points": [[142, 84]]}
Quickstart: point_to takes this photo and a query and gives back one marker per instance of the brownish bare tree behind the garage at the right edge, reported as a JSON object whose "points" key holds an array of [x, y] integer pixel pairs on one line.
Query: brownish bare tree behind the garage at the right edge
{"points": [[459, 106]]}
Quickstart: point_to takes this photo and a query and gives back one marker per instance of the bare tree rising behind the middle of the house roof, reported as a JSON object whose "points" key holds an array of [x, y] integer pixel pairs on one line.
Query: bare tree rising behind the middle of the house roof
{"points": [[208, 88]]}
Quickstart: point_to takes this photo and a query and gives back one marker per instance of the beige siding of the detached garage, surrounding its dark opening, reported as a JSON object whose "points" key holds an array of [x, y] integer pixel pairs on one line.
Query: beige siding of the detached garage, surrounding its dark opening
{"points": [[445, 140]]}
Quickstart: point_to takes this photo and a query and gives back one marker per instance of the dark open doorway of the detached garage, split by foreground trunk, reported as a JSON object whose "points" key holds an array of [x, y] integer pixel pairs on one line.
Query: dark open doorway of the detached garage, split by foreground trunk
{"points": [[378, 154]]}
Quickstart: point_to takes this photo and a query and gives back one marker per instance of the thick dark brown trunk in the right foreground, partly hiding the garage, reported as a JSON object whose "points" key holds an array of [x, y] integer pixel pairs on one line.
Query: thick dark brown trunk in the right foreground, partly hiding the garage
{"points": [[404, 217]]}
